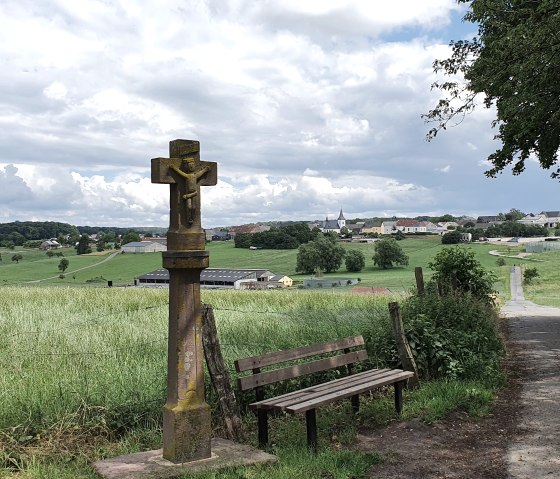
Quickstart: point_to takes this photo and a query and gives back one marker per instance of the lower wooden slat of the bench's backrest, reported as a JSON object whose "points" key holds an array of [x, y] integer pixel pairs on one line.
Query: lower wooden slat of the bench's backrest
{"points": [[269, 377]]}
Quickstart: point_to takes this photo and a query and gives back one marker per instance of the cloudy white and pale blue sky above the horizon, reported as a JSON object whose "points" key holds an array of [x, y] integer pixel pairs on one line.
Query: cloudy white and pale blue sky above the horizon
{"points": [[307, 106]]}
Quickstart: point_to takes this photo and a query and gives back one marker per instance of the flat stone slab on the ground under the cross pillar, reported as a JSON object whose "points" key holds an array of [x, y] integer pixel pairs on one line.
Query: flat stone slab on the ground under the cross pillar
{"points": [[151, 465]]}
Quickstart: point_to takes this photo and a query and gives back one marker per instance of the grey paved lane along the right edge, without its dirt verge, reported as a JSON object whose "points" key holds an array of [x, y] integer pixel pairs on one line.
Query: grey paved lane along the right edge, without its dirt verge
{"points": [[536, 453]]}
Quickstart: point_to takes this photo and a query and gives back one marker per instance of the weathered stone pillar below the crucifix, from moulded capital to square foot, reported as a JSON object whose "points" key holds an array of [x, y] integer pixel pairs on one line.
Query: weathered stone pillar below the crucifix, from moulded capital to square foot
{"points": [[186, 416]]}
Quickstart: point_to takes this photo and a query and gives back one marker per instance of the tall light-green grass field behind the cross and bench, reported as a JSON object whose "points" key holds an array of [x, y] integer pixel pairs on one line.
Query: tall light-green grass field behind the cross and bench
{"points": [[104, 350]]}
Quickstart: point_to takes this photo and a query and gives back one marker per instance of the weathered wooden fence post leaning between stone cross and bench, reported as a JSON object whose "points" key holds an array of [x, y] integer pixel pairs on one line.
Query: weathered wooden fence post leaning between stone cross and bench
{"points": [[219, 375]]}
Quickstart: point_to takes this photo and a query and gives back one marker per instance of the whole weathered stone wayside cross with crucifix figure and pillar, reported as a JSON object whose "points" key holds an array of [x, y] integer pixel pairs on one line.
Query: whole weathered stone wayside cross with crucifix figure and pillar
{"points": [[186, 415]]}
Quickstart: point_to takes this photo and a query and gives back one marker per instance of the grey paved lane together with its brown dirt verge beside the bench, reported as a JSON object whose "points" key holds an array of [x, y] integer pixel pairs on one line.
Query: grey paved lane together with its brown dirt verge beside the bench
{"points": [[519, 440]]}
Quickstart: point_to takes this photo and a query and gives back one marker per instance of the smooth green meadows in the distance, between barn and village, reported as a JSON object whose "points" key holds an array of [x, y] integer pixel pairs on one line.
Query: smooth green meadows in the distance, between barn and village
{"points": [[123, 268]]}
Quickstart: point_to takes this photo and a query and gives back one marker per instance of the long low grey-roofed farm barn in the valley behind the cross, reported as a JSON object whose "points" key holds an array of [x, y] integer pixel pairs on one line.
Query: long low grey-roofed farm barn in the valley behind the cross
{"points": [[213, 278]]}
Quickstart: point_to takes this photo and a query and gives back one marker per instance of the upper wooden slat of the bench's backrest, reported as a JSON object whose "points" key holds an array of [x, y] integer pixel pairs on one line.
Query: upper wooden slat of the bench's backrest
{"points": [[275, 357]]}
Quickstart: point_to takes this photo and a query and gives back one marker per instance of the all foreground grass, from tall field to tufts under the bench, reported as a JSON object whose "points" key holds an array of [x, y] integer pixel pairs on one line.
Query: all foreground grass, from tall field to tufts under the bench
{"points": [[84, 376]]}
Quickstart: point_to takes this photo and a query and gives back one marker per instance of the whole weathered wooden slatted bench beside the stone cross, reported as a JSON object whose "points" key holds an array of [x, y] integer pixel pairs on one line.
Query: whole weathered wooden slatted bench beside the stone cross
{"points": [[343, 352]]}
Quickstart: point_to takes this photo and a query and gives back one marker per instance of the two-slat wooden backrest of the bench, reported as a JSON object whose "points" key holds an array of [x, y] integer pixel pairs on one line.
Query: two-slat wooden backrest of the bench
{"points": [[343, 357]]}
